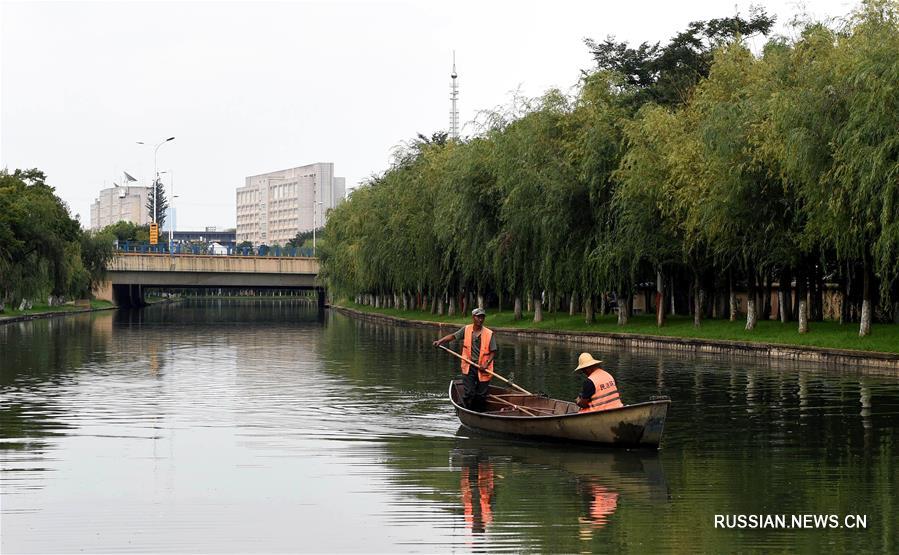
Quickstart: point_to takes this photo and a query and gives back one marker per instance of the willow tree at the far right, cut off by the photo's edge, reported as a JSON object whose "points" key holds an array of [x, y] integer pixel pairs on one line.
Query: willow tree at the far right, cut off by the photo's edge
{"points": [[865, 175]]}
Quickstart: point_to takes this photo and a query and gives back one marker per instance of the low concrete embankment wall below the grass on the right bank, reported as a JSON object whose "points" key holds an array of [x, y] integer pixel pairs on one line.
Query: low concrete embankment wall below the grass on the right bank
{"points": [[870, 362]]}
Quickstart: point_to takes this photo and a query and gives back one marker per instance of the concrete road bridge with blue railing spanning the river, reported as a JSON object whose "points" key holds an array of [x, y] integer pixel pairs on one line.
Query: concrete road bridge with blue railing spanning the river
{"points": [[129, 274]]}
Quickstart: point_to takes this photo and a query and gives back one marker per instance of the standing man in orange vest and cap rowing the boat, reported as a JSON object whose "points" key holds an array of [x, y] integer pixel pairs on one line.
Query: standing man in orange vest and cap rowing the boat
{"points": [[474, 336]]}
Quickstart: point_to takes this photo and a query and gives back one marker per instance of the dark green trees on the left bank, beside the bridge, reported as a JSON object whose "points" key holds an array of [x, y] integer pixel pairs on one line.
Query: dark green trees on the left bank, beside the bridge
{"points": [[43, 251]]}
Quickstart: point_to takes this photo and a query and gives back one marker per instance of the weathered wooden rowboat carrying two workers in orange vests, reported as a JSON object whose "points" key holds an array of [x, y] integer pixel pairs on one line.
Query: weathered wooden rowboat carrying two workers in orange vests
{"points": [[510, 412]]}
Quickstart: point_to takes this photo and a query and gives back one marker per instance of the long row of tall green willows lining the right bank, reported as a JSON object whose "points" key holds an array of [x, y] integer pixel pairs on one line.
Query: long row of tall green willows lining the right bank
{"points": [[695, 163]]}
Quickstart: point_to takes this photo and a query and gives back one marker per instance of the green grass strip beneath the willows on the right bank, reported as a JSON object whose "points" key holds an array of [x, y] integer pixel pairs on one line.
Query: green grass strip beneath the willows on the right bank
{"points": [[884, 338]]}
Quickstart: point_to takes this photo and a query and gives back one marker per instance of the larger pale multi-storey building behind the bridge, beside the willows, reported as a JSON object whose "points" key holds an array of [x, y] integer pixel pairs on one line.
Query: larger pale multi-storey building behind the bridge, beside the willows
{"points": [[273, 207]]}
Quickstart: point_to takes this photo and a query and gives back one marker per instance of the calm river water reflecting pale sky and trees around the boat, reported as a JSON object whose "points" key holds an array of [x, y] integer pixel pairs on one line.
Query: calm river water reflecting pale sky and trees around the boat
{"points": [[262, 426]]}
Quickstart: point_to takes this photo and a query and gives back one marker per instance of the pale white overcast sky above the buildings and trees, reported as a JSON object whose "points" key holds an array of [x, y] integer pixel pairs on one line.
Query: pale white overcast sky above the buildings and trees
{"points": [[253, 87]]}
